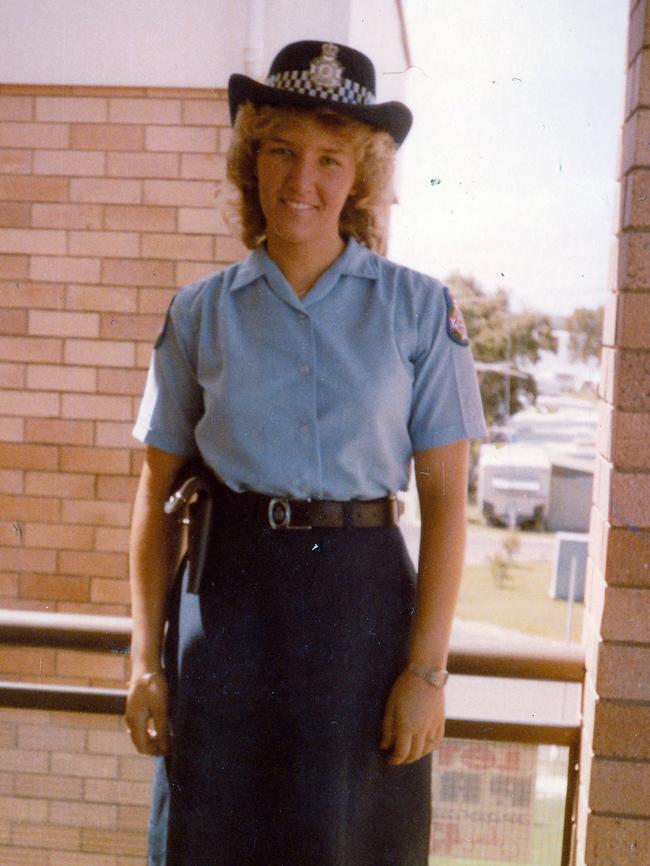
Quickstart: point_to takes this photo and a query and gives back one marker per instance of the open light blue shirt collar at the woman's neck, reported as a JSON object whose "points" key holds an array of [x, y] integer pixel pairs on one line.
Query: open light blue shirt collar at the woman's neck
{"points": [[355, 260]]}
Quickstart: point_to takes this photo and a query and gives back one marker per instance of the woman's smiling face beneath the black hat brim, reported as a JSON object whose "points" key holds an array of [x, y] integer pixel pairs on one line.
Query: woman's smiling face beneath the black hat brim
{"points": [[305, 173]]}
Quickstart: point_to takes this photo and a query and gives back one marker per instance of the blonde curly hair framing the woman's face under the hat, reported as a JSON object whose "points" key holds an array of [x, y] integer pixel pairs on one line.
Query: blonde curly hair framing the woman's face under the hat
{"points": [[365, 213]]}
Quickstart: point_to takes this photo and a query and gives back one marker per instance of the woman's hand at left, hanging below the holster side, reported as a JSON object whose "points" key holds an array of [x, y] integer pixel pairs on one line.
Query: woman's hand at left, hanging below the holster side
{"points": [[146, 713]]}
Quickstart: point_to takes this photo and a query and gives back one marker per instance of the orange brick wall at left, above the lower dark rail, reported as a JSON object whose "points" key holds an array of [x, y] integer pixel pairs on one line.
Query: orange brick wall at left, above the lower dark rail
{"points": [[107, 205]]}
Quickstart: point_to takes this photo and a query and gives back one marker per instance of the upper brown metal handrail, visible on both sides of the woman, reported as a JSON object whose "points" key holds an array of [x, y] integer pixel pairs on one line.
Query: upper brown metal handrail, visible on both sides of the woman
{"points": [[525, 657]]}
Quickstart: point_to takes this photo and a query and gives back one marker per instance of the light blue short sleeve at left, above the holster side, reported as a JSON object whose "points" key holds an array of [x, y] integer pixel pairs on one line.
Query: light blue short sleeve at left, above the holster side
{"points": [[172, 403]]}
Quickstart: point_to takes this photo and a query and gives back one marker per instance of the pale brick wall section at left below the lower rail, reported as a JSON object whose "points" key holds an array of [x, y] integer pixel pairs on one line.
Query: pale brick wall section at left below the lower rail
{"points": [[73, 792]]}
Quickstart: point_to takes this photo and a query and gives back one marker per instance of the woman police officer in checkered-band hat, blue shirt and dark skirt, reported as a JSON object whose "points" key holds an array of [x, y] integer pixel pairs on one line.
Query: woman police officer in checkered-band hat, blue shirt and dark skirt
{"points": [[302, 687]]}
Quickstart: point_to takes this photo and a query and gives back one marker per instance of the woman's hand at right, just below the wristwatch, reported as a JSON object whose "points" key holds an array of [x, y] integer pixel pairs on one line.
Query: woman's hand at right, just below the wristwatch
{"points": [[414, 719]]}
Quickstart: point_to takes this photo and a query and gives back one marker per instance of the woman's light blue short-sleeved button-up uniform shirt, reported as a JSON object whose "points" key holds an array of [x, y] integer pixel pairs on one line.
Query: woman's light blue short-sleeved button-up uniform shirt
{"points": [[325, 397]]}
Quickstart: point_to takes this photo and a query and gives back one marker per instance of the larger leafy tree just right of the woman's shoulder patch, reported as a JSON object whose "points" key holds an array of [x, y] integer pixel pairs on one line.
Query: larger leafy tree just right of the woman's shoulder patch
{"points": [[498, 335]]}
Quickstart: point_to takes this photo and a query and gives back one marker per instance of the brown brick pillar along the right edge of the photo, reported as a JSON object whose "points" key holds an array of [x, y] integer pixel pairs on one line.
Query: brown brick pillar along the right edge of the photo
{"points": [[614, 803]]}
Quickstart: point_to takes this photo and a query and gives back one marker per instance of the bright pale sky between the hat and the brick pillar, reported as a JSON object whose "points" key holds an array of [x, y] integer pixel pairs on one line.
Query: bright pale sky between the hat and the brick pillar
{"points": [[510, 171]]}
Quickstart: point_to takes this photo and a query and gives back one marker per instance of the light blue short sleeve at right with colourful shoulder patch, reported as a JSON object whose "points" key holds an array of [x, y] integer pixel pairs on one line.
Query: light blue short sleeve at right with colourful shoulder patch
{"points": [[446, 401]]}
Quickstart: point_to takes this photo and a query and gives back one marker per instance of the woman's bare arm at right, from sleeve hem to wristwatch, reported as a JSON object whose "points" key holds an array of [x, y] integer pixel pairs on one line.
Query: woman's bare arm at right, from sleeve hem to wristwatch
{"points": [[442, 490]]}
